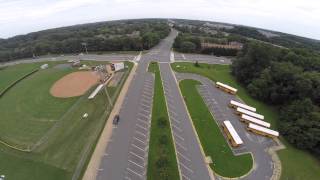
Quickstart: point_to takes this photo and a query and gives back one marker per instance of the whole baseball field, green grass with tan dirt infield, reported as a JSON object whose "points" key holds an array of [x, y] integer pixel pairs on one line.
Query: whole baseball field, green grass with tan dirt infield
{"points": [[43, 133]]}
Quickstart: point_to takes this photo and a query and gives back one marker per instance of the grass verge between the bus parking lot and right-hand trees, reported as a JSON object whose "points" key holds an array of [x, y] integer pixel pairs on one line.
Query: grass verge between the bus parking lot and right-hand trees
{"points": [[296, 164]]}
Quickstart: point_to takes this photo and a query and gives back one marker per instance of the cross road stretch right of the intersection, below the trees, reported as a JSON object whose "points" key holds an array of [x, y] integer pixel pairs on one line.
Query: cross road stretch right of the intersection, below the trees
{"points": [[180, 57]]}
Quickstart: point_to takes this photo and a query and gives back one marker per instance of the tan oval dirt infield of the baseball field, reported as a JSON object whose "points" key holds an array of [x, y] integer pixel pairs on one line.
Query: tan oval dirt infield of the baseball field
{"points": [[74, 84]]}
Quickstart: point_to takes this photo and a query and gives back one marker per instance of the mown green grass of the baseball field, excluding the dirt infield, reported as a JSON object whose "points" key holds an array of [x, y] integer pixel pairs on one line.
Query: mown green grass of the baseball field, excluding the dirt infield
{"points": [[69, 138]]}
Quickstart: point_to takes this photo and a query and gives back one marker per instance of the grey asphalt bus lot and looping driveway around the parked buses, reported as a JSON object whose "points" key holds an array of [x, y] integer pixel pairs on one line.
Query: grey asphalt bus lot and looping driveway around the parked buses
{"points": [[217, 102]]}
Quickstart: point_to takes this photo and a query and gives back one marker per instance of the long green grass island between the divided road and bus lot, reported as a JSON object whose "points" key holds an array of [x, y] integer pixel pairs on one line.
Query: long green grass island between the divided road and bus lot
{"points": [[212, 140]]}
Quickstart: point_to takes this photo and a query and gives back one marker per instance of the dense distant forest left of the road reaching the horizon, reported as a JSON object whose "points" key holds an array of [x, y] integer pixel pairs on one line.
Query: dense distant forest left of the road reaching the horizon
{"points": [[103, 36]]}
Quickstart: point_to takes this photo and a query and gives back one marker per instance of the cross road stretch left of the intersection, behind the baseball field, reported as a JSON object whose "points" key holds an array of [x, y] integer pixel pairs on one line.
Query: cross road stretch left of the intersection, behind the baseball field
{"points": [[94, 57]]}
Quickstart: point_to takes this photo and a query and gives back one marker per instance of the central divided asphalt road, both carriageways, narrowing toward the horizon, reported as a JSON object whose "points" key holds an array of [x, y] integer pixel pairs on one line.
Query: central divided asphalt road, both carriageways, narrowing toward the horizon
{"points": [[126, 154]]}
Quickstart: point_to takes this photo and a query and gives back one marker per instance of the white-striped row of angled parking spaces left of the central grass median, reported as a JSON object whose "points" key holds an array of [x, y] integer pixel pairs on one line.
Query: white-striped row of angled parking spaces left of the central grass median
{"points": [[139, 145]]}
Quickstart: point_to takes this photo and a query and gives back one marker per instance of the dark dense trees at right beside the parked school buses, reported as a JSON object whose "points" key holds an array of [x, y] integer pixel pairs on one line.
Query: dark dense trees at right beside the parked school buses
{"points": [[289, 80]]}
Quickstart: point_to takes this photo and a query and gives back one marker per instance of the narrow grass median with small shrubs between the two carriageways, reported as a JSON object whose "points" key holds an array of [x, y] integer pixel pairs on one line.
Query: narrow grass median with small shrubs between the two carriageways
{"points": [[161, 143]]}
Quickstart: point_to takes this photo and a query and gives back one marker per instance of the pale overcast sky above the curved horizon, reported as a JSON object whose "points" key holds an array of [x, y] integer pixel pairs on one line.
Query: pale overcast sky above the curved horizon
{"points": [[300, 17]]}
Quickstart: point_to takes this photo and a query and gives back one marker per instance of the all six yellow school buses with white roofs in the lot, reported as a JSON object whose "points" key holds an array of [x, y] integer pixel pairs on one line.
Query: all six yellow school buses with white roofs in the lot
{"points": [[255, 122]]}
